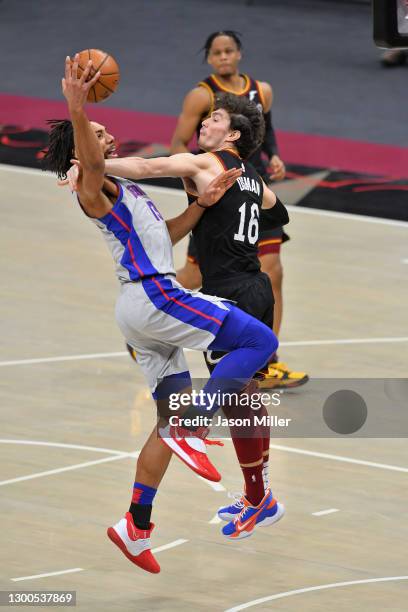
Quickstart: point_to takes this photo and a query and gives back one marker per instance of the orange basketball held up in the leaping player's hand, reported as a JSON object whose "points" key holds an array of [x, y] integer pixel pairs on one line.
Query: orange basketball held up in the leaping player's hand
{"points": [[109, 69]]}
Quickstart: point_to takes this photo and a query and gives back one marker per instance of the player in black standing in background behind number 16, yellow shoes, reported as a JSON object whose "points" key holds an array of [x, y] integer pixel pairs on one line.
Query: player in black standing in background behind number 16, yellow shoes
{"points": [[223, 53]]}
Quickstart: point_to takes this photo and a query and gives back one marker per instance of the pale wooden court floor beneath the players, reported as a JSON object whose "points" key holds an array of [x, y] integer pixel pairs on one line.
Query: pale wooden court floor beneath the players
{"points": [[75, 411]]}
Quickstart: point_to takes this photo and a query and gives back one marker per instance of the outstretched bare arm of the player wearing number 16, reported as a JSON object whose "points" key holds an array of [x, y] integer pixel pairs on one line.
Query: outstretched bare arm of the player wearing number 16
{"points": [[182, 164]]}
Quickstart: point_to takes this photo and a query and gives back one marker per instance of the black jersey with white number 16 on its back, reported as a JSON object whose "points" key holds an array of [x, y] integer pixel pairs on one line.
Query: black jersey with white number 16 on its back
{"points": [[226, 237]]}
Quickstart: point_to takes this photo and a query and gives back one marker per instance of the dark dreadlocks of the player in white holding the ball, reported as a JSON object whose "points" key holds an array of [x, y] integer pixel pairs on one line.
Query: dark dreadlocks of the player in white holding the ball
{"points": [[61, 147]]}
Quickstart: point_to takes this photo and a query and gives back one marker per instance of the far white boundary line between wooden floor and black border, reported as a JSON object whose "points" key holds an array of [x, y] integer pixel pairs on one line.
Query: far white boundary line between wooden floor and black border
{"points": [[172, 191]]}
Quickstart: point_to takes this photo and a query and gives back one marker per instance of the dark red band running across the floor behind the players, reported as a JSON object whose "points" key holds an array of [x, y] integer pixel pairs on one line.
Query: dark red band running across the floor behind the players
{"points": [[295, 148]]}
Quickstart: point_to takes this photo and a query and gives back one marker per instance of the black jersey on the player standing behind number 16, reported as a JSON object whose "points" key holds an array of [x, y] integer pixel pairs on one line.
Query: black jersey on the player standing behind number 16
{"points": [[252, 90]]}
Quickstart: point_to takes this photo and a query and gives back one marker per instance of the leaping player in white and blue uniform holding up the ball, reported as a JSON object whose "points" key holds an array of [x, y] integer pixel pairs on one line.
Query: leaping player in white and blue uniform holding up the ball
{"points": [[156, 315]]}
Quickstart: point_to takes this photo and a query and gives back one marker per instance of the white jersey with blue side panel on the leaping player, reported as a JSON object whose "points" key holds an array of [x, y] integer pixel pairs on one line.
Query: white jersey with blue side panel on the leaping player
{"points": [[136, 234]]}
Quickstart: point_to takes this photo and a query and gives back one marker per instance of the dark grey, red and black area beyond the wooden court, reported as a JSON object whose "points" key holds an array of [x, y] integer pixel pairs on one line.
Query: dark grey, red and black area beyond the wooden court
{"points": [[336, 106]]}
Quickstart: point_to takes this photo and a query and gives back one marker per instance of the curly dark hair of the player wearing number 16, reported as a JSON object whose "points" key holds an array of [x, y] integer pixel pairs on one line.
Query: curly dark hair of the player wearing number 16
{"points": [[246, 117]]}
